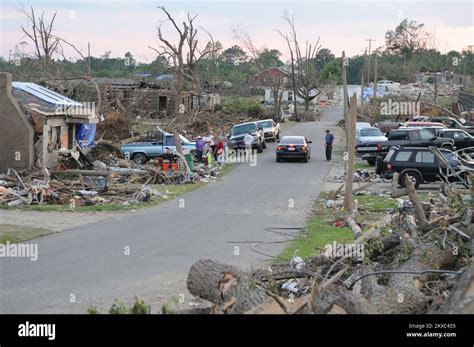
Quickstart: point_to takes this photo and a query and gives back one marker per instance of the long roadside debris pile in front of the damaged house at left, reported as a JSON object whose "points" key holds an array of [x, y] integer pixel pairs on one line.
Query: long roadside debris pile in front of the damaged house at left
{"points": [[79, 180]]}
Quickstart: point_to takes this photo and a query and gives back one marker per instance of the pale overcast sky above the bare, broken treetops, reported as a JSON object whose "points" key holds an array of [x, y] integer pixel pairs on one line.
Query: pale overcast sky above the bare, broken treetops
{"points": [[125, 25]]}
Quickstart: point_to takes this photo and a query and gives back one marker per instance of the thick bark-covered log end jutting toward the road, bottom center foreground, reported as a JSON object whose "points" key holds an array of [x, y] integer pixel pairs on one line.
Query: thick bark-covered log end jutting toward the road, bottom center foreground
{"points": [[220, 284]]}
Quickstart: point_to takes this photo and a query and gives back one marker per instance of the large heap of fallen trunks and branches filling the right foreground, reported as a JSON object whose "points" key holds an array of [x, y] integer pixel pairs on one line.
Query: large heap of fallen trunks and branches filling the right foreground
{"points": [[422, 269]]}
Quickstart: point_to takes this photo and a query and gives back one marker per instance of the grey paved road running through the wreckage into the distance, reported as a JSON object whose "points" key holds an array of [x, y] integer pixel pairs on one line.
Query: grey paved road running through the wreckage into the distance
{"points": [[88, 265]]}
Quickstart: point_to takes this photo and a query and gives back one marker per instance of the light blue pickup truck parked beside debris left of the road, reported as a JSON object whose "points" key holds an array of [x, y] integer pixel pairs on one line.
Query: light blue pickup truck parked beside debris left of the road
{"points": [[142, 151]]}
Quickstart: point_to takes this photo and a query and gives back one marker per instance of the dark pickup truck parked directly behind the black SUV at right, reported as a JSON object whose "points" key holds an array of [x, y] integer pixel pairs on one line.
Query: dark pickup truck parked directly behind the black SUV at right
{"points": [[414, 137]]}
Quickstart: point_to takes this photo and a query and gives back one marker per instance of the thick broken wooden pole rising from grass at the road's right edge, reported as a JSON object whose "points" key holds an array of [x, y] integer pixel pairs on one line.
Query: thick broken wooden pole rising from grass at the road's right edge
{"points": [[351, 154]]}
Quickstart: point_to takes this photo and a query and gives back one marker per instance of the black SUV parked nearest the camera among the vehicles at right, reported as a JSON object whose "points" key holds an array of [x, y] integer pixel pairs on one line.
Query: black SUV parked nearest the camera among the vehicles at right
{"points": [[419, 163]]}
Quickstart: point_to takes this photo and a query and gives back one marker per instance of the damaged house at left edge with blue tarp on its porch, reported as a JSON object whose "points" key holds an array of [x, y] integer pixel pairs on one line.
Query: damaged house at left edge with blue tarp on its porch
{"points": [[49, 123]]}
